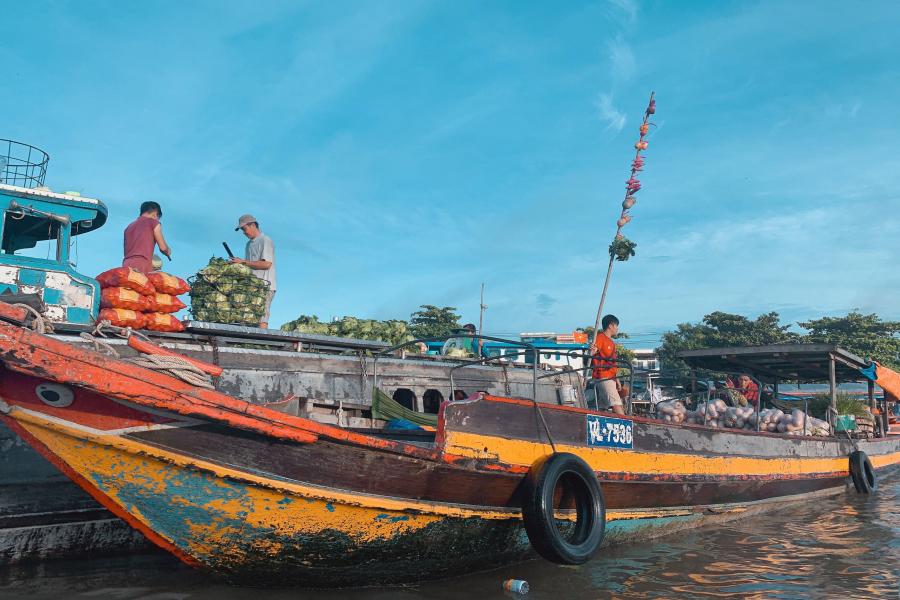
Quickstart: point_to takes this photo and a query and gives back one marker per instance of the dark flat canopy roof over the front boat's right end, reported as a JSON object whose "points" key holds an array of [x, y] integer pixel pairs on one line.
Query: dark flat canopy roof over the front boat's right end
{"points": [[795, 362]]}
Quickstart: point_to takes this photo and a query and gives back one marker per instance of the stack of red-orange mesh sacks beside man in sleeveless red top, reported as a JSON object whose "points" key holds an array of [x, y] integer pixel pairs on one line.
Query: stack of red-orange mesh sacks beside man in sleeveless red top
{"points": [[128, 298]]}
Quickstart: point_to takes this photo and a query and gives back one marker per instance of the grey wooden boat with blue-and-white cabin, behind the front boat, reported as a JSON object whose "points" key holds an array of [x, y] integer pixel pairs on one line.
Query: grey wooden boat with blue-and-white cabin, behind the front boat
{"points": [[42, 514]]}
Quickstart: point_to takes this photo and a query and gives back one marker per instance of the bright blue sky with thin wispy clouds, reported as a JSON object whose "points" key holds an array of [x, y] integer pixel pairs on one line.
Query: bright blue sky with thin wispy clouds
{"points": [[402, 153]]}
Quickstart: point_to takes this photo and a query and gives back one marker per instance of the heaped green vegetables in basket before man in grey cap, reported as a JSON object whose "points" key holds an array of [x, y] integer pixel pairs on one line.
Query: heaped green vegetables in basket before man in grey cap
{"points": [[225, 292]]}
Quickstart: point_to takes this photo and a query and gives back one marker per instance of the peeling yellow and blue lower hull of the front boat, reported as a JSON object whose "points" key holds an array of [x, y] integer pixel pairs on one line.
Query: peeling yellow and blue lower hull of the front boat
{"points": [[263, 531]]}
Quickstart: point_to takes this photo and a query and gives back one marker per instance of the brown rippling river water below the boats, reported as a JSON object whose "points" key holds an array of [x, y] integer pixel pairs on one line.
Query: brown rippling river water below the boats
{"points": [[841, 546]]}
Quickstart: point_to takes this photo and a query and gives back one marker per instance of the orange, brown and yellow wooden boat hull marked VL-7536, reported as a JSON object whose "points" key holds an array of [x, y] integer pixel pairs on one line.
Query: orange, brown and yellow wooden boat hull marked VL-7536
{"points": [[274, 499]]}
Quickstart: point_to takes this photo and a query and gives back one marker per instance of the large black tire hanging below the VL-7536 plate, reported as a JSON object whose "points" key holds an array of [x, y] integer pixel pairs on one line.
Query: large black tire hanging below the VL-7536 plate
{"points": [[580, 484]]}
